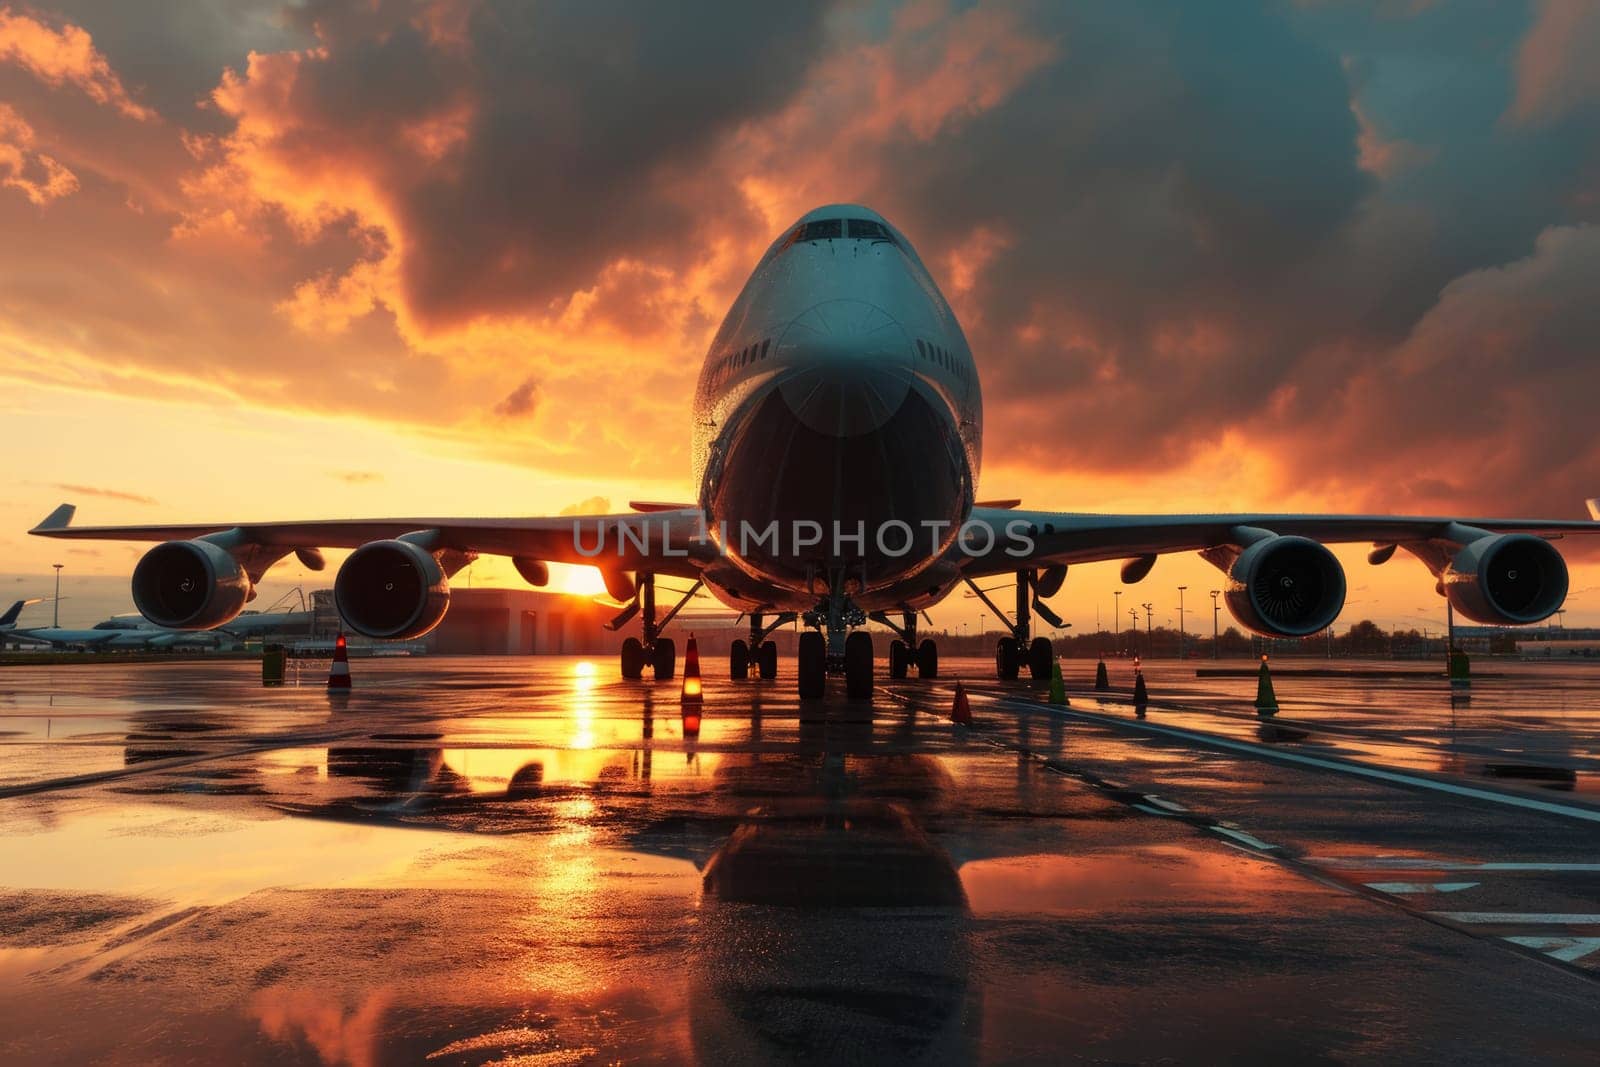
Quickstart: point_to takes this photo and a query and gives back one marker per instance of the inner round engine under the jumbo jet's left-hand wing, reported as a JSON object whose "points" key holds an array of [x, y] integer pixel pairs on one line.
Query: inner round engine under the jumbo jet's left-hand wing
{"points": [[391, 589]]}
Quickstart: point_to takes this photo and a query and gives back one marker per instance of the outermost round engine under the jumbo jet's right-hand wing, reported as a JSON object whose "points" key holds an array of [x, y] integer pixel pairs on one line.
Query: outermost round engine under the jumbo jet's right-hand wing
{"points": [[1506, 580]]}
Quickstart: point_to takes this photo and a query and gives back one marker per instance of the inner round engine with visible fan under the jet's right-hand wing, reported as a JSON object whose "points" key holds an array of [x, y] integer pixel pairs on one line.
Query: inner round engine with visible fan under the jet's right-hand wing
{"points": [[1286, 586]]}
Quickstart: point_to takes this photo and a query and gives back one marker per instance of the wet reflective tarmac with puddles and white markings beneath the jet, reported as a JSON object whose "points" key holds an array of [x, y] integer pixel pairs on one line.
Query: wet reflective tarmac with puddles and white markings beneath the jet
{"points": [[474, 861]]}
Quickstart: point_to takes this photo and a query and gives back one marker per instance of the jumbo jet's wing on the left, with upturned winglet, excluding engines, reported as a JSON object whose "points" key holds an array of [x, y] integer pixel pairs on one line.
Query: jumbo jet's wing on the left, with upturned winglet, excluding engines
{"points": [[663, 541]]}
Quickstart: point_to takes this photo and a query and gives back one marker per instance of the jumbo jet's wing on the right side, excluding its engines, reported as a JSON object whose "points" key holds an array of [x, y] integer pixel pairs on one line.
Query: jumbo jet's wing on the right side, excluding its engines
{"points": [[1055, 538]]}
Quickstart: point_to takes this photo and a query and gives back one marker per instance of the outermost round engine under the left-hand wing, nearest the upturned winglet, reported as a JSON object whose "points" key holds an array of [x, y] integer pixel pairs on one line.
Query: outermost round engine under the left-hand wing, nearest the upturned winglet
{"points": [[190, 586]]}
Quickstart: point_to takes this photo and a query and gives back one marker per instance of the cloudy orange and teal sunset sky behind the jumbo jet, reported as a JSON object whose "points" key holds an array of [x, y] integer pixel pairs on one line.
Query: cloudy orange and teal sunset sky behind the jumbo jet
{"points": [[268, 260]]}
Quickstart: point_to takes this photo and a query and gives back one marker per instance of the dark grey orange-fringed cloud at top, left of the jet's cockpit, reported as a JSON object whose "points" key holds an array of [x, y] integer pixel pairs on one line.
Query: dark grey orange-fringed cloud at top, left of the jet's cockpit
{"points": [[562, 137]]}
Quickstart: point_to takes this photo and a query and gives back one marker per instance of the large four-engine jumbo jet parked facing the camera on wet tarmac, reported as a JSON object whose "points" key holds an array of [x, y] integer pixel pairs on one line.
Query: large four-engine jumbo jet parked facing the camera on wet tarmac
{"points": [[838, 439]]}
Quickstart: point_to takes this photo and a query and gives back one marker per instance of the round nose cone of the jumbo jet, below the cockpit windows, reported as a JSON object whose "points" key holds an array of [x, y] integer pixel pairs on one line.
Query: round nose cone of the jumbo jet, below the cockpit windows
{"points": [[854, 367]]}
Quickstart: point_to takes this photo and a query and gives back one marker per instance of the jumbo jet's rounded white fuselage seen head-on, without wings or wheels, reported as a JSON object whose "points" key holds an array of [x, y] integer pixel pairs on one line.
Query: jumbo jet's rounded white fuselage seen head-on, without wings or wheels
{"points": [[838, 423]]}
